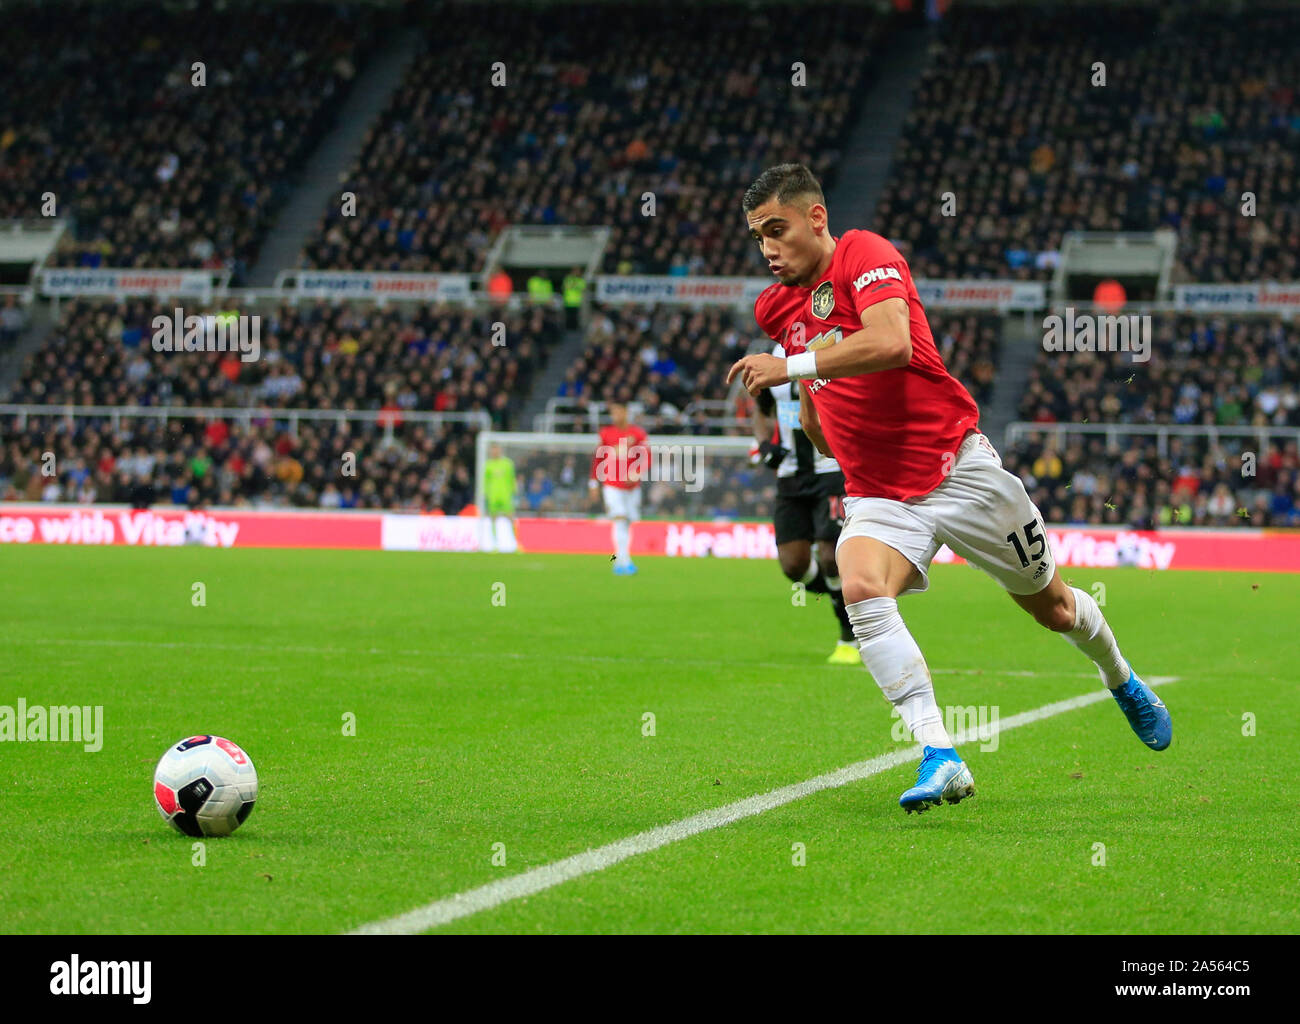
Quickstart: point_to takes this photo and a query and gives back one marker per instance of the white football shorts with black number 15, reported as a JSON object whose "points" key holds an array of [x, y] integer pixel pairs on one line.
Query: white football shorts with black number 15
{"points": [[981, 511]]}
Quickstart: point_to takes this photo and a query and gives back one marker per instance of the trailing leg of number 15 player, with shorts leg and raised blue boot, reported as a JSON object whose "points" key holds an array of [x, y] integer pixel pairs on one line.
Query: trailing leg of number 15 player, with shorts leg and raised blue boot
{"points": [[987, 518]]}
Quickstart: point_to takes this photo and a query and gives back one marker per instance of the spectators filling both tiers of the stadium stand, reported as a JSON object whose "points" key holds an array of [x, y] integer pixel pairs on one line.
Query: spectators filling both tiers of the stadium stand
{"points": [[690, 106]]}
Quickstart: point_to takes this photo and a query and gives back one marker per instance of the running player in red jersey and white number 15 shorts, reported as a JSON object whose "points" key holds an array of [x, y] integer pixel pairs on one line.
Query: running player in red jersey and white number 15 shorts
{"points": [[918, 472]]}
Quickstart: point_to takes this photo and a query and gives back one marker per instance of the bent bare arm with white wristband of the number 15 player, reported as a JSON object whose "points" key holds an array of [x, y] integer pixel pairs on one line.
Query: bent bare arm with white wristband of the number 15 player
{"points": [[885, 344]]}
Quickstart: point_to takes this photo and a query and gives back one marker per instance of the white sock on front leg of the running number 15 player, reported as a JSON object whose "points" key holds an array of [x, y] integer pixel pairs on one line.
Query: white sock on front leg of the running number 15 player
{"points": [[898, 666]]}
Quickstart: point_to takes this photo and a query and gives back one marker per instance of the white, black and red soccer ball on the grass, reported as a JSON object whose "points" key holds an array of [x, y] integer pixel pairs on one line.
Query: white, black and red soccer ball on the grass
{"points": [[206, 786]]}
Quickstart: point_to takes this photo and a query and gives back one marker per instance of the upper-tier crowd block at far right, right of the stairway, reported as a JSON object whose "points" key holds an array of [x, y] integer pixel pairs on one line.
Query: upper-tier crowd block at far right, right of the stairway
{"points": [[1013, 141]]}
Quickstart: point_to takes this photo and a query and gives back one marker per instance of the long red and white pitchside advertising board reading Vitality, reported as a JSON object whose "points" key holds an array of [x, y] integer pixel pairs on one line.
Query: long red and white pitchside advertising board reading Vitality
{"points": [[1078, 548]]}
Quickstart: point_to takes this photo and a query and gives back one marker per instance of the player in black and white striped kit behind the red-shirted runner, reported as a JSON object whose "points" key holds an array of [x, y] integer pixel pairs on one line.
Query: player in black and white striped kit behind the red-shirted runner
{"points": [[809, 505]]}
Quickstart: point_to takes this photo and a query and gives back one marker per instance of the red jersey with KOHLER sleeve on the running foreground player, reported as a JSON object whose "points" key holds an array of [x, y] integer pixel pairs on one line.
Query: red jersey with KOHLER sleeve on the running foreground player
{"points": [[890, 431]]}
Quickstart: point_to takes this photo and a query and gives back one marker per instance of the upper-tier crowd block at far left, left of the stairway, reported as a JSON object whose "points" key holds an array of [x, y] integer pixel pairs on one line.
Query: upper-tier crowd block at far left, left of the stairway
{"points": [[167, 136]]}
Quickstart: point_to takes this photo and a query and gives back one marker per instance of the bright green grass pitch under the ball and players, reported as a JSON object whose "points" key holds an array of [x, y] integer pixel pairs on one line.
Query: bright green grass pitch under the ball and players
{"points": [[500, 709]]}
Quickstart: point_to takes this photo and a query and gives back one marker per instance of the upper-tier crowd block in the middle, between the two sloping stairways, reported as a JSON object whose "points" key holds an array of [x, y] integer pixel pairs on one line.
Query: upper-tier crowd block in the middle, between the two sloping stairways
{"points": [[584, 116]]}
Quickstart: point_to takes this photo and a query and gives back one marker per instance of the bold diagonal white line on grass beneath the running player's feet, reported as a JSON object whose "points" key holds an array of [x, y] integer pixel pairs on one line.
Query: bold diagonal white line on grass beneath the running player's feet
{"points": [[536, 880]]}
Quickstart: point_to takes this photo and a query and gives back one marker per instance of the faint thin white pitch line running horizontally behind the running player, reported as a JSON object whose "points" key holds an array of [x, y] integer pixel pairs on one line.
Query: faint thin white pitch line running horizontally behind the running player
{"points": [[515, 656]]}
